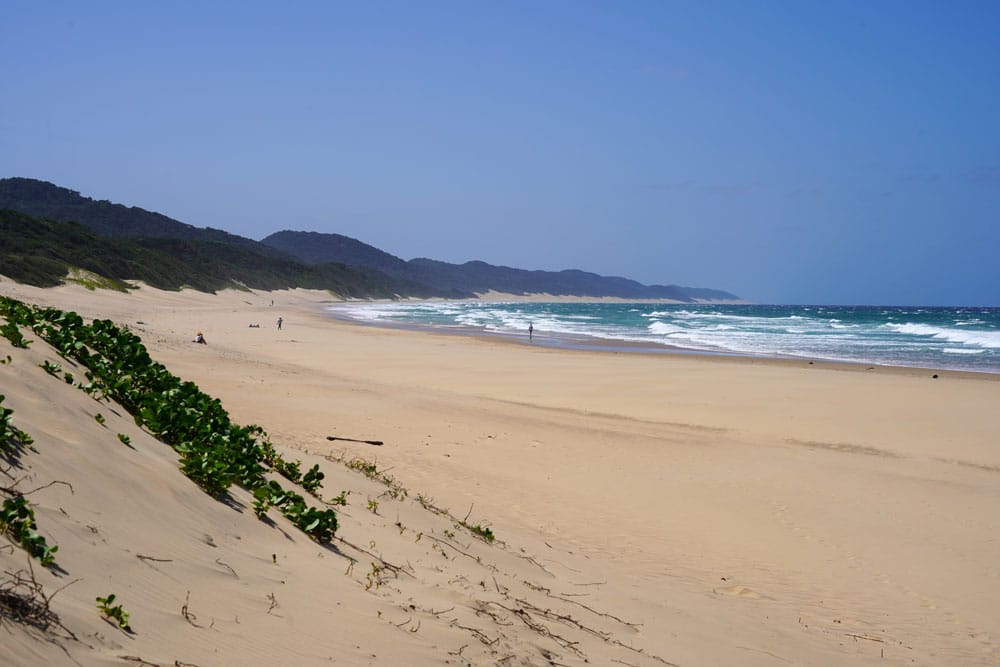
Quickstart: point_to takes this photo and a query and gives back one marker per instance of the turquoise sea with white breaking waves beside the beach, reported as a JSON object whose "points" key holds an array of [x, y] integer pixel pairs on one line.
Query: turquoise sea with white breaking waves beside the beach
{"points": [[944, 338]]}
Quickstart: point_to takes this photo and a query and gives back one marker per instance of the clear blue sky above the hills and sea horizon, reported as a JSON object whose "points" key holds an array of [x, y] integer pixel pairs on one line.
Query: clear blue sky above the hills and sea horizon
{"points": [[788, 152]]}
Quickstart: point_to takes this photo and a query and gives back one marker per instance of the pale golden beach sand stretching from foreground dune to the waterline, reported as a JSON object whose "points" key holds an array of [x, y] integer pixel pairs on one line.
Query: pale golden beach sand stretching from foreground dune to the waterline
{"points": [[648, 509]]}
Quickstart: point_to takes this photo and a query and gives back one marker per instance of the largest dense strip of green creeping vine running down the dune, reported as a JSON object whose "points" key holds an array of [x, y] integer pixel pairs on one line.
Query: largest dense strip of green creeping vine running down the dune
{"points": [[215, 452]]}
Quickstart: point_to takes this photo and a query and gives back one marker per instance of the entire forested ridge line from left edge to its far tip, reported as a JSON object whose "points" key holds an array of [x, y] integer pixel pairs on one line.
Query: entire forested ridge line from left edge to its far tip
{"points": [[282, 260]]}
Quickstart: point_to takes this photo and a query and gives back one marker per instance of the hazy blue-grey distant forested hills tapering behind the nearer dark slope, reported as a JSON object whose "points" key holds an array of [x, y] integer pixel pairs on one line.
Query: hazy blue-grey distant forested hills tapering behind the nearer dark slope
{"points": [[478, 276]]}
